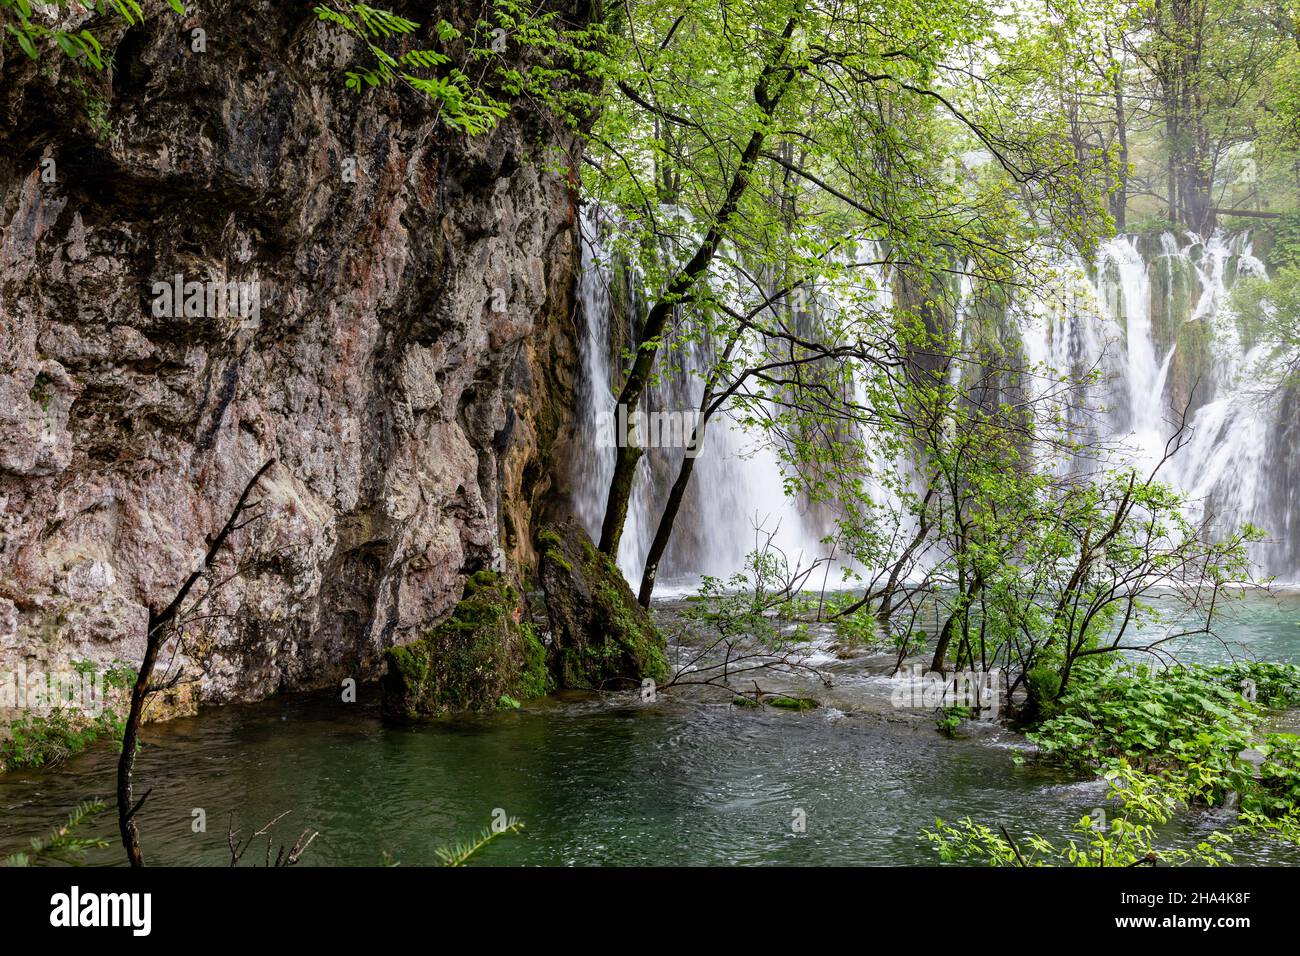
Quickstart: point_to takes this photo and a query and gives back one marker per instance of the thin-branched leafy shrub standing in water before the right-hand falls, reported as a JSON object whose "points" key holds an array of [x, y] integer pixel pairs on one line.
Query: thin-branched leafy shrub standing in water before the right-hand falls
{"points": [[1033, 552]]}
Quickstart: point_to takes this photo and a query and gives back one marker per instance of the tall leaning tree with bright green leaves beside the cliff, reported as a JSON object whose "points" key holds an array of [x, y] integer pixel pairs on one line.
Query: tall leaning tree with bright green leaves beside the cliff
{"points": [[856, 122]]}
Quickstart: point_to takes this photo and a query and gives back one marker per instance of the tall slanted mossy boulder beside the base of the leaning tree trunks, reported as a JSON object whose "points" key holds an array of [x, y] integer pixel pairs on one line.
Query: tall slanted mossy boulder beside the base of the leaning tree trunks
{"points": [[601, 637]]}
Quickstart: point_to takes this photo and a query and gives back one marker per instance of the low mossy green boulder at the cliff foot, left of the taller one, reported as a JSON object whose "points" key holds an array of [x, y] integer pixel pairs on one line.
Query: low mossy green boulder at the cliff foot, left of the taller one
{"points": [[486, 656]]}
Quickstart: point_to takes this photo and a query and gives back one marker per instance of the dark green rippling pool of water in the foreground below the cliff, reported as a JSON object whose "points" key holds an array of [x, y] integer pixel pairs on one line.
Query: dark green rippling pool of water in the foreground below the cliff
{"points": [[596, 781]]}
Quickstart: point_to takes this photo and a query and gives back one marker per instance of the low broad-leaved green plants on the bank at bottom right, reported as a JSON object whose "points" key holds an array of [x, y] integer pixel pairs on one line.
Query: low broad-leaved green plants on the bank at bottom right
{"points": [[1165, 741]]}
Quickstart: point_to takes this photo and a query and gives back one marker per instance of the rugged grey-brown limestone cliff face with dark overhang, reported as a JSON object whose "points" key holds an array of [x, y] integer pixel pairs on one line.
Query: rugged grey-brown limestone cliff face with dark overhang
{"points": [[404, 352]]}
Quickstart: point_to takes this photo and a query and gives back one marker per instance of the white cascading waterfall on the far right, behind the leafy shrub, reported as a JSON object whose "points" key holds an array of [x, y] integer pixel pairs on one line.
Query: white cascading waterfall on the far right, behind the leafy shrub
{"points": [[1162, 328]]}
